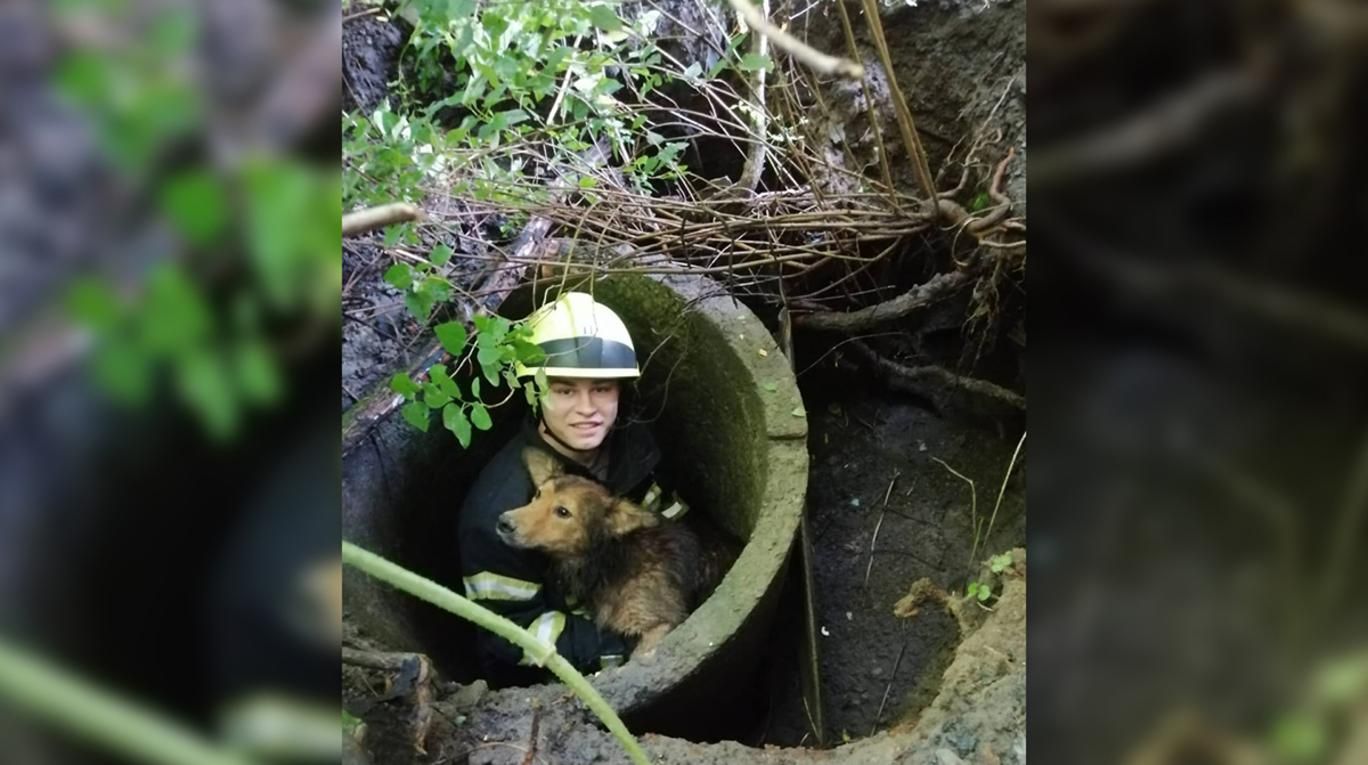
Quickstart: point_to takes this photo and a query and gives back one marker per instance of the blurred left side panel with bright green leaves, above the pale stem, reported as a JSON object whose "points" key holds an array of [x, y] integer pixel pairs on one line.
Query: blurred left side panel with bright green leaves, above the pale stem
{"points": [[169, 352]]}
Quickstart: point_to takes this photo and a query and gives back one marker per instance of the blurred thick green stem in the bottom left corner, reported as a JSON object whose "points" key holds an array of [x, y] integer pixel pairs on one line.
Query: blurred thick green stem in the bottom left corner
{"points": [[98, 716]]}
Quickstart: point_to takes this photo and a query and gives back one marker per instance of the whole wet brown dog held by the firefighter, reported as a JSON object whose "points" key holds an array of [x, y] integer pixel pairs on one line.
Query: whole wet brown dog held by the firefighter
{"points": [[637, 573]]}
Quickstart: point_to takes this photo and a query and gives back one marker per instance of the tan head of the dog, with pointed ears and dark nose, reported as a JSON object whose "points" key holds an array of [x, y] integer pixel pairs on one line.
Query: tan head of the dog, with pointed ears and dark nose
{"points": [[570, 515]]}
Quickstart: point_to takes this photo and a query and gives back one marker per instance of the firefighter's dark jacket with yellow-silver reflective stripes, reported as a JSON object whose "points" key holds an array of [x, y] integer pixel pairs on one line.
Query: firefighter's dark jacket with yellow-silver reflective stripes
{"points": [[514, 582]]}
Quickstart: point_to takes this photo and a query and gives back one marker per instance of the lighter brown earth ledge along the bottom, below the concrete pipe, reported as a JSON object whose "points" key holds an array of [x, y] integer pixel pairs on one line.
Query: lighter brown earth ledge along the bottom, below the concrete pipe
{"points": [[979, 716]]}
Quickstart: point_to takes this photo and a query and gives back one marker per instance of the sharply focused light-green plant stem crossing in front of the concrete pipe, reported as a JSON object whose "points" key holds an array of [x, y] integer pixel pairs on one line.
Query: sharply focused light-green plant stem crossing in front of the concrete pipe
{"points": [[540, 652]]}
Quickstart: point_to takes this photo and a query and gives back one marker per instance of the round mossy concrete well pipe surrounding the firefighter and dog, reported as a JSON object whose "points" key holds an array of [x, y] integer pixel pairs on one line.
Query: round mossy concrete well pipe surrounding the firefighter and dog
{"points": [[730, 418]]}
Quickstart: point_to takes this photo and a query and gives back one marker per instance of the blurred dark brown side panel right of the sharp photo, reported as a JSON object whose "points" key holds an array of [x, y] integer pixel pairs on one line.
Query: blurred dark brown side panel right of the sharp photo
{"points": [[1199, 489]]}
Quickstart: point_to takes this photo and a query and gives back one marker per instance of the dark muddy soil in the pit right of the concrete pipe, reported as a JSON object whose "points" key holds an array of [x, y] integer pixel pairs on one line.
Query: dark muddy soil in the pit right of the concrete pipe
{"points": [[867, 445]]}
